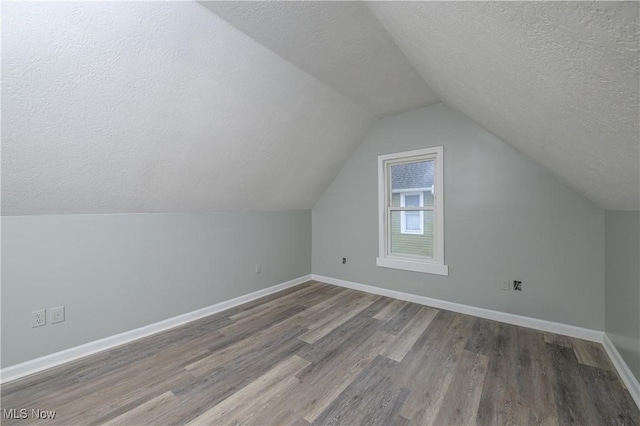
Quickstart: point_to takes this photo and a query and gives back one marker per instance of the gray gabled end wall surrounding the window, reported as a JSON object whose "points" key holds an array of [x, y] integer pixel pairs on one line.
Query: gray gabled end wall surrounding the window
{"points": [[505, 218]]}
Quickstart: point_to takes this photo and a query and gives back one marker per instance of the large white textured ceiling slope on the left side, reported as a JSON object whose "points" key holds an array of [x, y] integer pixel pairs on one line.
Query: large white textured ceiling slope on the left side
{"points": [[160, 107]]}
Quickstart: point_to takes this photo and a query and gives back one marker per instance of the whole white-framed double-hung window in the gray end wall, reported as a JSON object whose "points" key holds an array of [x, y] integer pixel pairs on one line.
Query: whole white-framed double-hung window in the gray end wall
{"points": [[411, 201]]}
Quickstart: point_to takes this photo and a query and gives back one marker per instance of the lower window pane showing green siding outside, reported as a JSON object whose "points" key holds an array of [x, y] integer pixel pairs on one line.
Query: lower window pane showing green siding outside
{"points": [[411, 244]]}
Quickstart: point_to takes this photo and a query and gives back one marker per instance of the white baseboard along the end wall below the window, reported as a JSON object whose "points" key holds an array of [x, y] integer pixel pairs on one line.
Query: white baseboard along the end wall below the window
{"points": [[535, 323]]}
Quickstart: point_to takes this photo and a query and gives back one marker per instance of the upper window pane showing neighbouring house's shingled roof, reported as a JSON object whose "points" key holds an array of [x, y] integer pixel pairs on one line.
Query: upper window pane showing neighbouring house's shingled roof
{"points": [[412, 178]]}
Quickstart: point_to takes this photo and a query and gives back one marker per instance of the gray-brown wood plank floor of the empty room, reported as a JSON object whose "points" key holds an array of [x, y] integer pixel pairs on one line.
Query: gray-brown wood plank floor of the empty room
{"points": [[320, 354]]}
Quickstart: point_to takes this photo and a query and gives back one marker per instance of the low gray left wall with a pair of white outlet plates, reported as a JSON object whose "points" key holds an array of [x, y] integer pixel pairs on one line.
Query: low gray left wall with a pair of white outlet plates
{"points": [[118, 272]]}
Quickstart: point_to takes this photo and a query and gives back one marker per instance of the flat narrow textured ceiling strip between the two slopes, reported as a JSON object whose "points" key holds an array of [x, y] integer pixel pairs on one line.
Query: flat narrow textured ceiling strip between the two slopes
{"points": [[340, 43]]}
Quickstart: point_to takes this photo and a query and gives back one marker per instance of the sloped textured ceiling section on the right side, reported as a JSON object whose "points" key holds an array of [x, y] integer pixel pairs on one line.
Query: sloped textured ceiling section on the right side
{"points": [[557, 80]]}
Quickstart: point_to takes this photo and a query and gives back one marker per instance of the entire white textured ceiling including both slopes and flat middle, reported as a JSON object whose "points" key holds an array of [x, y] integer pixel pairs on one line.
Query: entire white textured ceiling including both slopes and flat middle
{"points": [[177, 107]]}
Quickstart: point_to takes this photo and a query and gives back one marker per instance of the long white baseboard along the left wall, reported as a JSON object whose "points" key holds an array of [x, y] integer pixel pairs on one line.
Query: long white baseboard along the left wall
{"points": [[36, 365]]}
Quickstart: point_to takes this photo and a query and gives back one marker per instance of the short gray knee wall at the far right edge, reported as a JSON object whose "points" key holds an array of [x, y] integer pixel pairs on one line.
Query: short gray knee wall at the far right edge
{"points": [[622, 231]]}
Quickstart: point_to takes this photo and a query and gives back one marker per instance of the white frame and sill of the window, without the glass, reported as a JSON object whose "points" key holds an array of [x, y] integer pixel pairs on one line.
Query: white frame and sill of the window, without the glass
{"points": [[385, 259]]}
